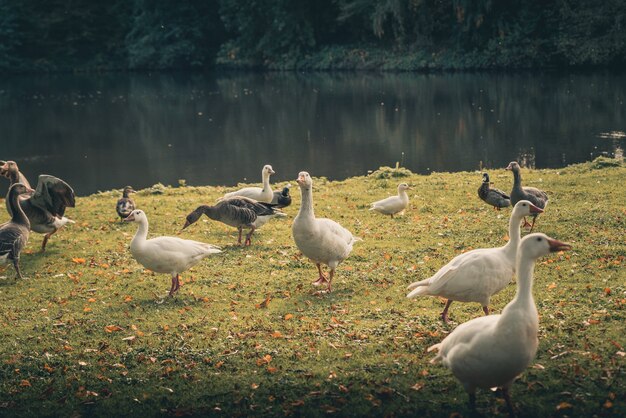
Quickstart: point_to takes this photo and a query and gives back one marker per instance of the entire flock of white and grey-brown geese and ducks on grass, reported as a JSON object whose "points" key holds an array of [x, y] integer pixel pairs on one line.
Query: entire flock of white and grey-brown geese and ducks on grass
{"points": [[486, 352]]}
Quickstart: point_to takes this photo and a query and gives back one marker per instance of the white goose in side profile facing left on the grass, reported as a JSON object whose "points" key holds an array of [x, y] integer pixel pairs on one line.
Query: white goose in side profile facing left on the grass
{"points": [[166, 254]]}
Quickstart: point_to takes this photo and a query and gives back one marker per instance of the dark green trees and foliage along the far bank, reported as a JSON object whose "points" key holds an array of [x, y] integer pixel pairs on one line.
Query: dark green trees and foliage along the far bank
{"points": [[55, 35]]}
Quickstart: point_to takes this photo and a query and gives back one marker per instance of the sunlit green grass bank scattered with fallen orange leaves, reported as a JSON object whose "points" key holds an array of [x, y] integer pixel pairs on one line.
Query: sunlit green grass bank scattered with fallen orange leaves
{"points": [[217, 349]]}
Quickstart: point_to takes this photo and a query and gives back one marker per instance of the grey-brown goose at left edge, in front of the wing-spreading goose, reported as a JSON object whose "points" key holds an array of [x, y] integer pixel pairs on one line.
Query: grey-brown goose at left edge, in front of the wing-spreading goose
{"points": [[14, 234]]}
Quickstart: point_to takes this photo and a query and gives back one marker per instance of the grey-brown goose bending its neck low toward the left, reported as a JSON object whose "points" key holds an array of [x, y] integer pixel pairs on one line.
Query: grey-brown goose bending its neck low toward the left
{"points": [[237, 211]]}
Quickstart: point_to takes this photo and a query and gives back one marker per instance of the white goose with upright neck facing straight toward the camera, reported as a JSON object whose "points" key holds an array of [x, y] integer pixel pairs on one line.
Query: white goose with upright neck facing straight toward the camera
{"points": [[321, 240]]}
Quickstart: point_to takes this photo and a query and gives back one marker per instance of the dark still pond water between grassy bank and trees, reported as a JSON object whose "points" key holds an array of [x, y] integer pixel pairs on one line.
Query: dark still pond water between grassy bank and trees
{"points": [[100, 132]]}
